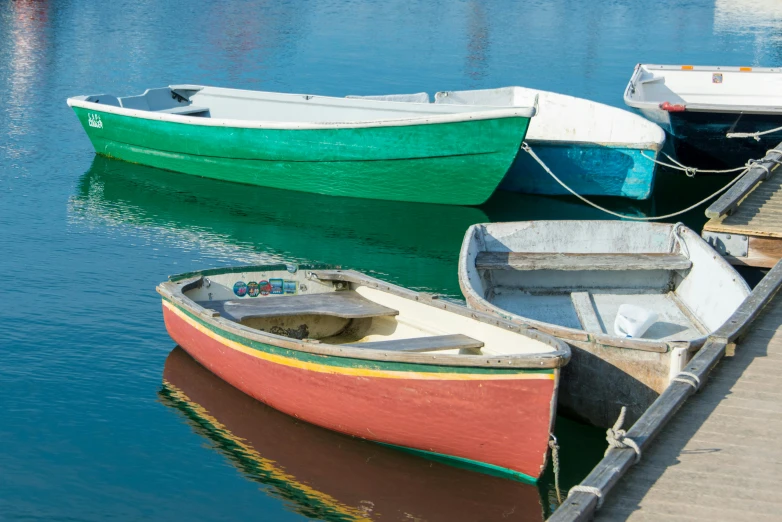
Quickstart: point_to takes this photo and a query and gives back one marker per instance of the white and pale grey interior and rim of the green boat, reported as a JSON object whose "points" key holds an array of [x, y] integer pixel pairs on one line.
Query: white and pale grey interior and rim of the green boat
{"points": [[237, 104]]}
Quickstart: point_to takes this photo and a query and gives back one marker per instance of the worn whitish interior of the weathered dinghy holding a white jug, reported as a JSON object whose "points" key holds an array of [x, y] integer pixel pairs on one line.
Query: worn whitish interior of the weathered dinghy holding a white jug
{"points": [[577, 274]]}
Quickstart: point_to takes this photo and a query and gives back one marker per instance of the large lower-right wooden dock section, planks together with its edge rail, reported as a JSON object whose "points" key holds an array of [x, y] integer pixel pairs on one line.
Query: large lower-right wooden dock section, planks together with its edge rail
{"points": [[718, 457]]}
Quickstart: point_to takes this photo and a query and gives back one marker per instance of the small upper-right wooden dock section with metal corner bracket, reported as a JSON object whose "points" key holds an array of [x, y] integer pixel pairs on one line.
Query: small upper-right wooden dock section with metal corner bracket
{"points": [[746, 222]]}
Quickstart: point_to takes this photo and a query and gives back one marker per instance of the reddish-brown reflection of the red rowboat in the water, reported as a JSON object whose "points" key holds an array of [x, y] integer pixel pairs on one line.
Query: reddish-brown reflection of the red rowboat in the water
{"points": [[329, 476]]}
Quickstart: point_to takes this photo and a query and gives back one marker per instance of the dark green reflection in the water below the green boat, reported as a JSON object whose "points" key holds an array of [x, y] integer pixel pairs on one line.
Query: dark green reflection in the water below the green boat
{"points": [[412, 244]]}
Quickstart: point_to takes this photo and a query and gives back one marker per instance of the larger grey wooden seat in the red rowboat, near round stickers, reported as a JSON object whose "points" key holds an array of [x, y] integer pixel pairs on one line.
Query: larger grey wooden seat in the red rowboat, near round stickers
{"points": [[345, 304]]}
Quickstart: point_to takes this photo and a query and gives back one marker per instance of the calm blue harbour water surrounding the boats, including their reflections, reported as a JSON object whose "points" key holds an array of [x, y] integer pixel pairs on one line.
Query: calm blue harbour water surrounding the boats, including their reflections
{"points": [[87, 430]]}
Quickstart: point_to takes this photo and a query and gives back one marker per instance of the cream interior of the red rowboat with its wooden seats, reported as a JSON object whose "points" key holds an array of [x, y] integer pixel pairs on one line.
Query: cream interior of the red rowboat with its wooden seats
{"points": [[316, 307]]}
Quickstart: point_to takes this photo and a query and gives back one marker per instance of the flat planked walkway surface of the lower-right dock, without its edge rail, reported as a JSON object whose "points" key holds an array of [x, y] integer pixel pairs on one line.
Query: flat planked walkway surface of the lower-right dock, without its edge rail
{"points": [[719, 457]]}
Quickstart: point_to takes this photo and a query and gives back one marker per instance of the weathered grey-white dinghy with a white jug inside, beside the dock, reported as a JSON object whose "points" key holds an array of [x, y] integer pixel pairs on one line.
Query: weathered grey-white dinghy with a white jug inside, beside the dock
{"points": [[582, 281]]}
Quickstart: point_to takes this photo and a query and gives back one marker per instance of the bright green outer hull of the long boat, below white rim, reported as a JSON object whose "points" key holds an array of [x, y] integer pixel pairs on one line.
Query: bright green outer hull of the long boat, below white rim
{"points": [[459, 163]]}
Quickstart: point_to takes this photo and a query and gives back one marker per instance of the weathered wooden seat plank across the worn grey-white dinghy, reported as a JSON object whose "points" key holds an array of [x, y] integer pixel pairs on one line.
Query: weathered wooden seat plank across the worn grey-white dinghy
{"points": [[577, 262]]}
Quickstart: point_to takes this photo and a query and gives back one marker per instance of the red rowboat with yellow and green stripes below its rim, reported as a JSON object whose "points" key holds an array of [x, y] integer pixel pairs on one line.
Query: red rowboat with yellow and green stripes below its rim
{"points": [[359, 356]]}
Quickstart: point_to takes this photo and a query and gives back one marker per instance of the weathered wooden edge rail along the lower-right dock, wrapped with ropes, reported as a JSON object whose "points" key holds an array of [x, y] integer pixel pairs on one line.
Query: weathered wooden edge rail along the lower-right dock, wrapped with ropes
{"points": [[581, 506]]}
